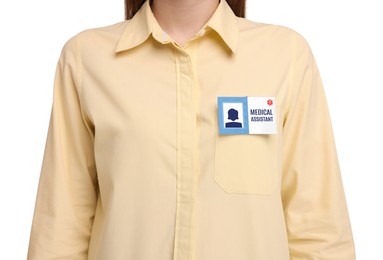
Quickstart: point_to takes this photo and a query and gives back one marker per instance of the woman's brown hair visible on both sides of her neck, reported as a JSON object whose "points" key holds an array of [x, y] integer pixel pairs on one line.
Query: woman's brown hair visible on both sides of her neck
{"points": [[132, 6]]}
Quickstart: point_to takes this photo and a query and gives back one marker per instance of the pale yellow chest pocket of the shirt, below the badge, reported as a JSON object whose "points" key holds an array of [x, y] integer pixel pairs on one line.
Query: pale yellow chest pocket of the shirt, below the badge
{"points": [[246, 164]]}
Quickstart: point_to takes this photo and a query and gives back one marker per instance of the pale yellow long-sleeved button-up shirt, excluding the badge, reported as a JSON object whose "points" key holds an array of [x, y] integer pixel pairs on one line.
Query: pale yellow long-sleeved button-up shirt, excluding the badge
{"points": [[135, 168]]}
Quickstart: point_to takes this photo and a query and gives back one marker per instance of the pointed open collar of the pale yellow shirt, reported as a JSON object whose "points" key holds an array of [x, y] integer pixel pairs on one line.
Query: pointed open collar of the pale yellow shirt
{"points": [[143, 24]]}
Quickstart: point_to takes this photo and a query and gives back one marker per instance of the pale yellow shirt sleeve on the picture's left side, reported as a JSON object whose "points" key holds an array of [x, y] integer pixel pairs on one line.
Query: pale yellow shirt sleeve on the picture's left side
{"points": [[67, 191]]}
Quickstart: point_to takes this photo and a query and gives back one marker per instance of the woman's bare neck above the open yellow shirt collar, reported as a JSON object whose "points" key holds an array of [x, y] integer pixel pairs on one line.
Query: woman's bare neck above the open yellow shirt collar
{"points": [[182, 19]]}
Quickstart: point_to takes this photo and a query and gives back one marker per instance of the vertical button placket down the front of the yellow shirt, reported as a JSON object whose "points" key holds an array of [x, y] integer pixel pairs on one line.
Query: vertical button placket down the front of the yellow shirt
{"points": [[186, 154]]}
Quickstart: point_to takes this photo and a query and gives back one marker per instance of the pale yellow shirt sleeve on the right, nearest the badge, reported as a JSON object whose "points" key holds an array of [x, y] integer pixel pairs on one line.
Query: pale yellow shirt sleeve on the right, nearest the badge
{"points": [[315, 209]]}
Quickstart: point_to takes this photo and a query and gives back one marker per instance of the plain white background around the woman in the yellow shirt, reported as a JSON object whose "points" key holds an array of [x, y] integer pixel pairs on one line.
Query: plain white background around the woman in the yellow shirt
{"points": [[345, 36]]}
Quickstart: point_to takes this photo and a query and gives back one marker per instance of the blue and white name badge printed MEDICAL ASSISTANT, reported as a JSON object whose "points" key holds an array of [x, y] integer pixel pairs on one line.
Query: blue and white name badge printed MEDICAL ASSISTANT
{"points": [[247, 115]]}
